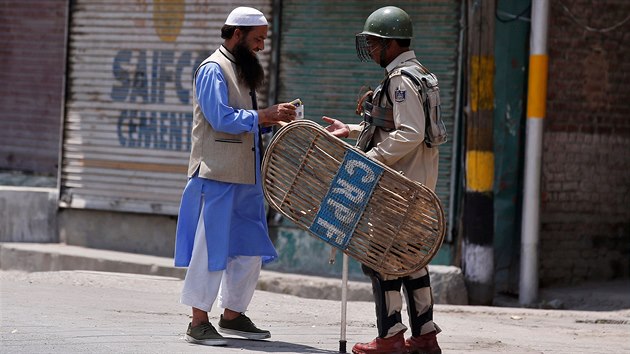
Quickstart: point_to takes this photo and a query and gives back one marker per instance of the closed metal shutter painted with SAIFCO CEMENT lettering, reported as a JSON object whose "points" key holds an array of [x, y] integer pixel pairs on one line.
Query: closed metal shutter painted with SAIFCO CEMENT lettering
{"points": [[127, 127]]}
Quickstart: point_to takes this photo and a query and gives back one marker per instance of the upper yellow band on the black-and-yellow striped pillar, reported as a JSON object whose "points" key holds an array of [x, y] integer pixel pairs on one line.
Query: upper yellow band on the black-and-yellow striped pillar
{"points": [[481, 83]]}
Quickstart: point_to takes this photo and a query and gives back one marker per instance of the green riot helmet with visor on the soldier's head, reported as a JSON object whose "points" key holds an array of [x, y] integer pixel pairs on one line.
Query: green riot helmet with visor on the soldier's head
{"points": [[388, 22]]}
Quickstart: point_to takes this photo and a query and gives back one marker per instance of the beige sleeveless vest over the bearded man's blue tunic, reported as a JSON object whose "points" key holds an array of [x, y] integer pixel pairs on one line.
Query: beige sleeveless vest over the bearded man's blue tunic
{"points": [[221, 156]]}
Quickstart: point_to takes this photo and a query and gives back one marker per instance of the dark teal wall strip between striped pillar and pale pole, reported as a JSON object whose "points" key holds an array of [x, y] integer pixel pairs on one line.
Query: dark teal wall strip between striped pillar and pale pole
{"points": [[511, 61]]}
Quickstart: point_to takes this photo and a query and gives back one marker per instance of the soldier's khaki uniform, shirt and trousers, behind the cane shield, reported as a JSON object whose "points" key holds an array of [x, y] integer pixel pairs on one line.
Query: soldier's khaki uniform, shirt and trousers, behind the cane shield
{"points": [[403, 149]]}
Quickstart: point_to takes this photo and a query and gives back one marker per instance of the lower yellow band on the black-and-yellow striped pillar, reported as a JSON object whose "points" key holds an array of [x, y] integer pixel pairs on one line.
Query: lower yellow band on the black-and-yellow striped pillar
{"points": [[479, 171]]}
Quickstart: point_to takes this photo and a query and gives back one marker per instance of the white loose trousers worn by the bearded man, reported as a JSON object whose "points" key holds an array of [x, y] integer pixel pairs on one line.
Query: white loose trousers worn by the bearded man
{"points": [[235, 285]]}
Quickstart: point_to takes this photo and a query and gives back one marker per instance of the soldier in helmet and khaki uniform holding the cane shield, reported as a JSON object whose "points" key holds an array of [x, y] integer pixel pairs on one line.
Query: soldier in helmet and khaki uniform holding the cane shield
{"points": [[396, 131]]}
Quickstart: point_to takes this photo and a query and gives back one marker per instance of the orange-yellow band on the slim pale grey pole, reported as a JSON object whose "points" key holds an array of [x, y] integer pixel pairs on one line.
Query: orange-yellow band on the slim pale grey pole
{"points": [[537, 86]]}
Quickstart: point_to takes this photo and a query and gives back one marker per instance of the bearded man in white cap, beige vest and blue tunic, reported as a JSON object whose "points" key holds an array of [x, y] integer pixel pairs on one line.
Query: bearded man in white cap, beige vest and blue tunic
{"points": [[222, 230]]}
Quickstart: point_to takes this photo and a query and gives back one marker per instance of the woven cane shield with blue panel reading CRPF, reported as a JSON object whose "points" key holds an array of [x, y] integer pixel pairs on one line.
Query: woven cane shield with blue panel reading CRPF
{"points": [[367, 210]]}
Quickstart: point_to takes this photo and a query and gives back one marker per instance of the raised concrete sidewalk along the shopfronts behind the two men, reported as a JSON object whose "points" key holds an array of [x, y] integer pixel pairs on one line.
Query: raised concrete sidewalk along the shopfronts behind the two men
{"points": [[446, 281]]}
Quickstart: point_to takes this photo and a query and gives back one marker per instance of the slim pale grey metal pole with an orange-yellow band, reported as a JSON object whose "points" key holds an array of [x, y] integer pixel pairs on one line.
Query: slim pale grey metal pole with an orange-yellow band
{"points": [[536, 99]]}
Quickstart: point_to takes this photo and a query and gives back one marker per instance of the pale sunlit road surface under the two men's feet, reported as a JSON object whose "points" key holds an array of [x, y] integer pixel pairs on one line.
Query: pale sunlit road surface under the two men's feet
{"points": [[100, 312]]}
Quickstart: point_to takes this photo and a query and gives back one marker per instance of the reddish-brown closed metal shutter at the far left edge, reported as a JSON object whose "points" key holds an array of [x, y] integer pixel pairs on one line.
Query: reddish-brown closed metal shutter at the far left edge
{"points": [[32, 66]]}
